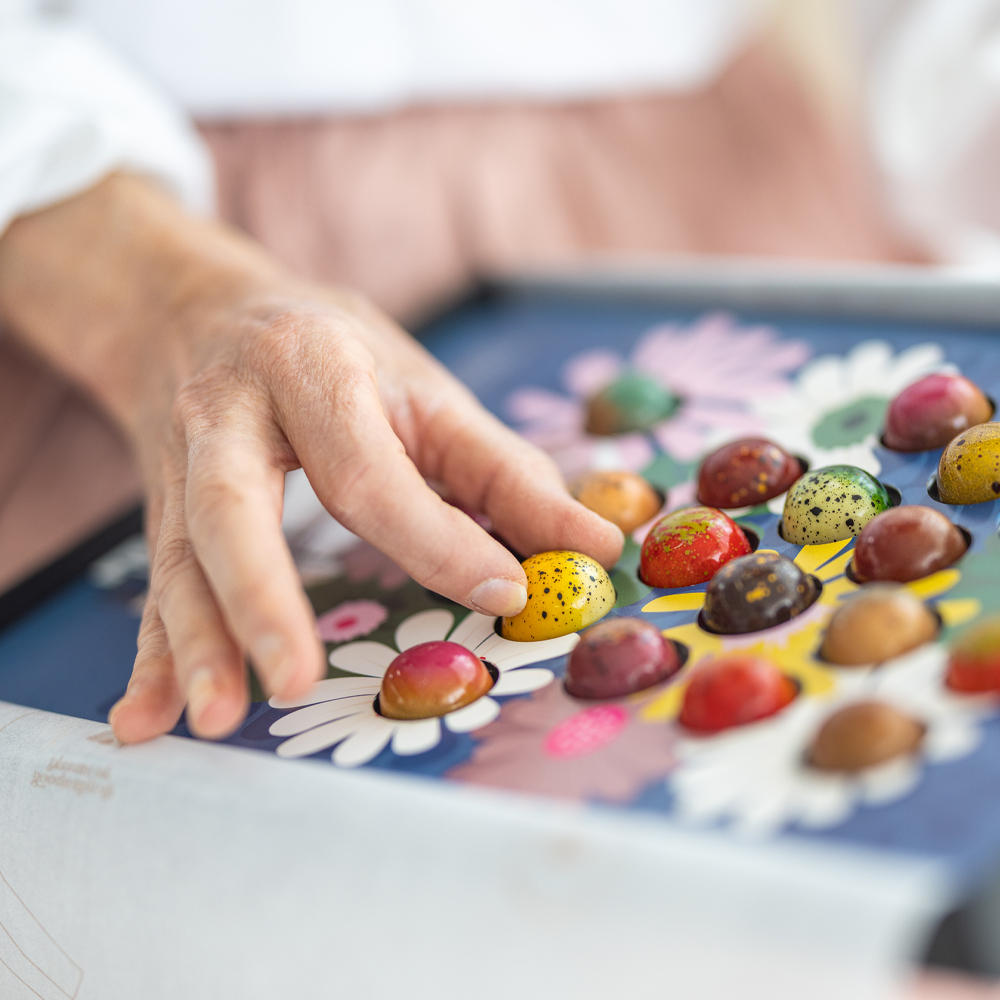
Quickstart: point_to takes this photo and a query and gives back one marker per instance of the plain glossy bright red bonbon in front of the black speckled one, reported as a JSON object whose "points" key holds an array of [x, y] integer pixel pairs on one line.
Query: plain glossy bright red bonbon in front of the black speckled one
{"points": [[732, 691]]}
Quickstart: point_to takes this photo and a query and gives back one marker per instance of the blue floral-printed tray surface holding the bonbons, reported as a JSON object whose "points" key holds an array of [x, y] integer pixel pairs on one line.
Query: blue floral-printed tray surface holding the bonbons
{"points": [[819, 388]]}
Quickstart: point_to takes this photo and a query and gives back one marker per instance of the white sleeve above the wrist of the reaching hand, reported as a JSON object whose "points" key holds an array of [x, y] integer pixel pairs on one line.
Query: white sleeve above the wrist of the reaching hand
{"points": [[70, 113]]}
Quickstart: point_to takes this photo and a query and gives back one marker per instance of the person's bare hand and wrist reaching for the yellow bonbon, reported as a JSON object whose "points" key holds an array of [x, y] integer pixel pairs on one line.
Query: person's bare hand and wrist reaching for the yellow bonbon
{"points": [[228, 373]]}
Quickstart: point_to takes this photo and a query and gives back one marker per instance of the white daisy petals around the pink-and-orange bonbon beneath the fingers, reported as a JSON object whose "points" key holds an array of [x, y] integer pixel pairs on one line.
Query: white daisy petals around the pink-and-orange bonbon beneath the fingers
{"points": [[341, 712]]}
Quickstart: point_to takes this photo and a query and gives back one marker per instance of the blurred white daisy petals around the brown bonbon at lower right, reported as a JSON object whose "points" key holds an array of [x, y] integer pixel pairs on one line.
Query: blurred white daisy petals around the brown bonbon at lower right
{"points": [[756, 777]]}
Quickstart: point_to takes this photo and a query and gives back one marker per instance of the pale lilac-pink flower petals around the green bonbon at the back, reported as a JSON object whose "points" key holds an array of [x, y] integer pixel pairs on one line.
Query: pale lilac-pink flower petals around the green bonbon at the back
{"points": [[714, 366]]}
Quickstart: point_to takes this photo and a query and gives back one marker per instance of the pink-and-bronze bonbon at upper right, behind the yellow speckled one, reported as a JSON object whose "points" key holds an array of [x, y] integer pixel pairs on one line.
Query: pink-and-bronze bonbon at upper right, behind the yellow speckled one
{"points": [[929, 413]]}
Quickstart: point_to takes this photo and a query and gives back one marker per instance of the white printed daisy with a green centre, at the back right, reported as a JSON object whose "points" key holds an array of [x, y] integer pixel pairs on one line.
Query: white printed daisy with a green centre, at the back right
{"points": [[833, 412]]}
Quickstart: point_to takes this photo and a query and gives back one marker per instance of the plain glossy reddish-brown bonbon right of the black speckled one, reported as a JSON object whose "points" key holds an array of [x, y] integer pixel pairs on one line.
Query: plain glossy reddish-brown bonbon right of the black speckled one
{"points": [[906, 543]]}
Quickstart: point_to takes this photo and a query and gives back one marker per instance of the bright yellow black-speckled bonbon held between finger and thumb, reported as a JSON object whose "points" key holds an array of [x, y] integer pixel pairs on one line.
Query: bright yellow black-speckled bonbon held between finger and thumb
{"points": [[567, 591]]}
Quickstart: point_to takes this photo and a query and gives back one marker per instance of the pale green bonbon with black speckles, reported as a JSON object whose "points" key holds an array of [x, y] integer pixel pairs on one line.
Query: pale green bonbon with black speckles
{"points": [[832, 503]]}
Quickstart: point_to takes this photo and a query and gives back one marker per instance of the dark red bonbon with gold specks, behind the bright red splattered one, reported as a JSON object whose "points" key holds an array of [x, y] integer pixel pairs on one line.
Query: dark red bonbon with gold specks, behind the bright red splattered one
{"points": [[745, 473]]}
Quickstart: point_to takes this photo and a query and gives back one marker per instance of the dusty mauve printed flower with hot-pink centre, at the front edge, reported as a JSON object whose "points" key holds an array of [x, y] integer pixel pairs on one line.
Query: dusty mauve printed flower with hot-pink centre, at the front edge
{"points": [[553, 744]]}
